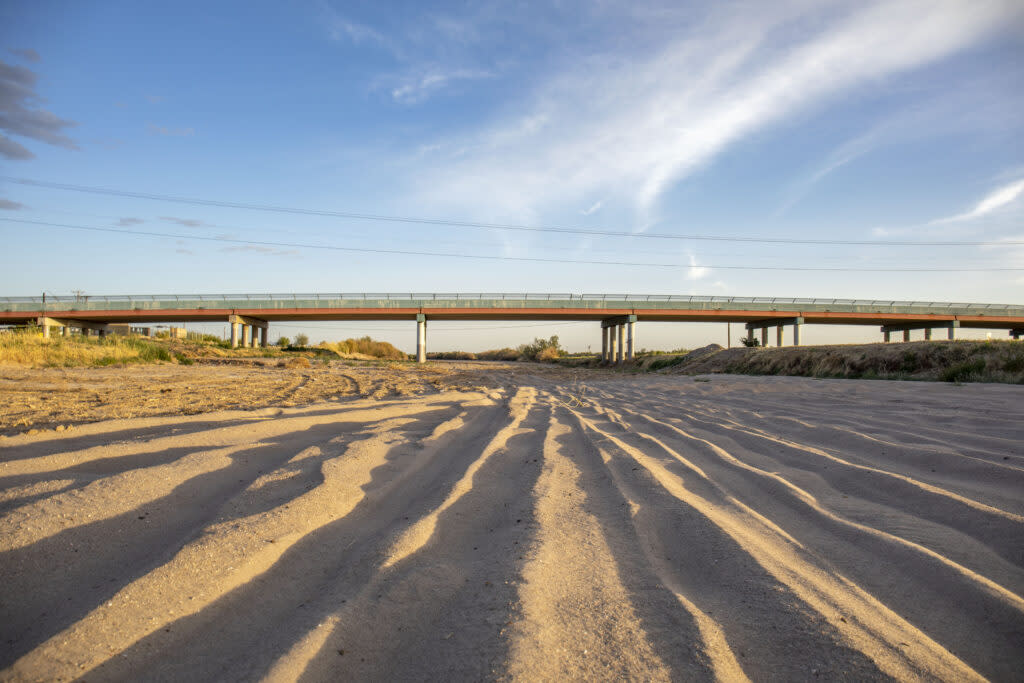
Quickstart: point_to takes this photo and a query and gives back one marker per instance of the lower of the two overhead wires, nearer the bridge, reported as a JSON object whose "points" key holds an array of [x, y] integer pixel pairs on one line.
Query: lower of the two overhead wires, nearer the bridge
{"points": [[400, 252]]}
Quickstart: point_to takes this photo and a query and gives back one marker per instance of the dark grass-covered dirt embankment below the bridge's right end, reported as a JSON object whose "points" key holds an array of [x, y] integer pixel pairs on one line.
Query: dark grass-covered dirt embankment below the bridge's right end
{"points": [[948, 362]]}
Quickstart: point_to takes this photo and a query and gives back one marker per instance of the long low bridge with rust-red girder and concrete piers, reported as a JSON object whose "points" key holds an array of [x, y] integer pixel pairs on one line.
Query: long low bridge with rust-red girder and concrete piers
{"points": [[618, 314]]}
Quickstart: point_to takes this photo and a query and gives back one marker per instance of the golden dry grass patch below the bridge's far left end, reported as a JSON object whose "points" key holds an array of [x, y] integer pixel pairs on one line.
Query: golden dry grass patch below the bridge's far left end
{"points": [[30, 350]]}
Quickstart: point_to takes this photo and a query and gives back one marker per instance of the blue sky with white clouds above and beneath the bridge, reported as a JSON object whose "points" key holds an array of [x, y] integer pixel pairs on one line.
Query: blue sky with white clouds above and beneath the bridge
{"points": [[758, 124]]}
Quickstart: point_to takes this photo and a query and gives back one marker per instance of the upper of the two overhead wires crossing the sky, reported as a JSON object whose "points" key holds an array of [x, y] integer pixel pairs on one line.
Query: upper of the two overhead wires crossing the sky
{"points": [[497, 227]]}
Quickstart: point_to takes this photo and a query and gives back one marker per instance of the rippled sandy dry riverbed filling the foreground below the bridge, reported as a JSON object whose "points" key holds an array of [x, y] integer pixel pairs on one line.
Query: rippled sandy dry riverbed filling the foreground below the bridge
{"points": [[515, 523]]}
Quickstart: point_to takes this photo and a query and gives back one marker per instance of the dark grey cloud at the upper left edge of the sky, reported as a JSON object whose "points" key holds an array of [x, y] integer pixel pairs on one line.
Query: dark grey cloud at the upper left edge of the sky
{"points": [[20, 116]]}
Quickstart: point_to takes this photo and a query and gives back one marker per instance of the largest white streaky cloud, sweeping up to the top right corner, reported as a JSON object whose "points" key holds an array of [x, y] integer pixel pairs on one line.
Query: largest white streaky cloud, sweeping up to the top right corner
{"points": [[631, 125]]}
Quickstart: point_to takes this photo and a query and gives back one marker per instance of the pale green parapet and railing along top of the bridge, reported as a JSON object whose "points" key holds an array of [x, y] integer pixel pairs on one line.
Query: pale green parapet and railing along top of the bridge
{"points": [[496, 301]]}
